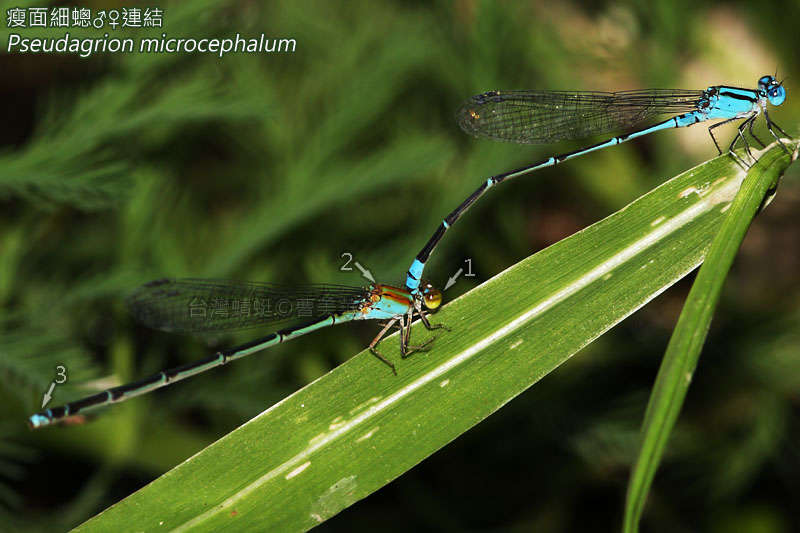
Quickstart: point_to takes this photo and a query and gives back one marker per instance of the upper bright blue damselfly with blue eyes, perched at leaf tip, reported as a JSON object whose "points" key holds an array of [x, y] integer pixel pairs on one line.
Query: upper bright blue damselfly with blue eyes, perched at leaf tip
{"points": [[537, 117]]}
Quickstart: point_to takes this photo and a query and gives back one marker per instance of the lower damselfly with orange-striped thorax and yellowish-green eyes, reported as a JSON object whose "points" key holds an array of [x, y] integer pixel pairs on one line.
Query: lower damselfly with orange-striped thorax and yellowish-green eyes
{"points": [[202, 305]]}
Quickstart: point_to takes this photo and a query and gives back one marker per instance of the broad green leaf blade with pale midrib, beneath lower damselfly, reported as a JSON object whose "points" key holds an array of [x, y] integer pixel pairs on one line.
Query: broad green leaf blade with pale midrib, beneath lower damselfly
{"points": [[358, 427]]}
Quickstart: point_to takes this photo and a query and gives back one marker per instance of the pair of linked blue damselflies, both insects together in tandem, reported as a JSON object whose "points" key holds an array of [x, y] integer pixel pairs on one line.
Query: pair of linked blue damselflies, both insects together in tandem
{"points": [[516, 116]]}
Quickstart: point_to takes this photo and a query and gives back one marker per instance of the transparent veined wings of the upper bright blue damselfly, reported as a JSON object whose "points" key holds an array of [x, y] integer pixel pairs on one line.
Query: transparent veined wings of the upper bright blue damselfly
{"points": [[538, 117]]}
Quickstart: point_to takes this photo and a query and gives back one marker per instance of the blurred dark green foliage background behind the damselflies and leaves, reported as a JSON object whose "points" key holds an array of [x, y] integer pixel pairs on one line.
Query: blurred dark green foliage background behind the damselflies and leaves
{"points": [[119, 169]]}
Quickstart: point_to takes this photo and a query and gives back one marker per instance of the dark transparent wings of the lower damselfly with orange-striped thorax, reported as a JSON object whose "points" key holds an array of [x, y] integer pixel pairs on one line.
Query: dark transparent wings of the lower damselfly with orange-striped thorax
{"points": [[207, 305]]}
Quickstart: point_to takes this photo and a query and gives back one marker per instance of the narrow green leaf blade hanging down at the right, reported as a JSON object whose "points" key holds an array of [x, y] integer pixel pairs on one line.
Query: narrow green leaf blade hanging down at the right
{"points": [[683, 351]]}
